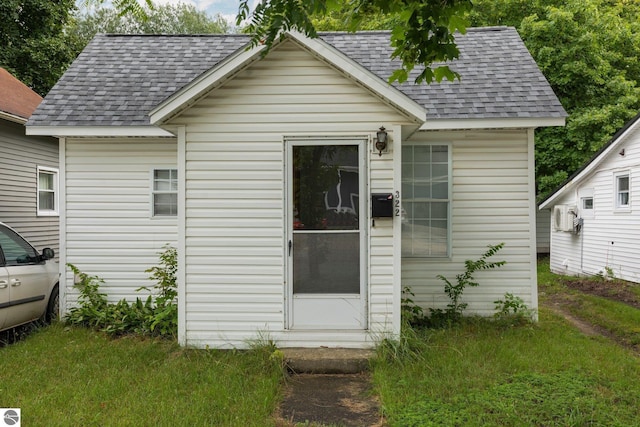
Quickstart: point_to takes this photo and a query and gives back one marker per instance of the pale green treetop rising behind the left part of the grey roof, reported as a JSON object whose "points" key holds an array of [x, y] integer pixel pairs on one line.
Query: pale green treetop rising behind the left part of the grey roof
{"points": [[167, 19]]}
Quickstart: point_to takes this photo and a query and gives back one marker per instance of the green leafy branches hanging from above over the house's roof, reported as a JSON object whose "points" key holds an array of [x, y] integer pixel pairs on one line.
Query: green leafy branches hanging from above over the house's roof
{"points": [[422, 35]]}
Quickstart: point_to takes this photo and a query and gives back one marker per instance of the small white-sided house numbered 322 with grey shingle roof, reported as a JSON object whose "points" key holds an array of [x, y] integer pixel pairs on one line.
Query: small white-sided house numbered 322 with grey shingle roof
{"points": [[261, 171]]}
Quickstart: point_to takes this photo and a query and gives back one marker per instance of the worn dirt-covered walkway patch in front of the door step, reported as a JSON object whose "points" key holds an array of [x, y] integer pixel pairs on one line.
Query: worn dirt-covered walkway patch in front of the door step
{"points": [[336, 400]]}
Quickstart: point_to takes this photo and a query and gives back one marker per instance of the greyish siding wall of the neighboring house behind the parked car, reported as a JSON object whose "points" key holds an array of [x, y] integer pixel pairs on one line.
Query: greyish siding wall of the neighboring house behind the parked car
{"points": [[20, 156]]}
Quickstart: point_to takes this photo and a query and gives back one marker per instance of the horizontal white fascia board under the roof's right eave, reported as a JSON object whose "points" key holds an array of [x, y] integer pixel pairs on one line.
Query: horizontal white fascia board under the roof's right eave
{"points": [[519, 123]]}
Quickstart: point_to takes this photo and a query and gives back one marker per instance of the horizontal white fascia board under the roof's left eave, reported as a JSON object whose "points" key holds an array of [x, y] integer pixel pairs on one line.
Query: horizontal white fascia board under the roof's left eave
{"points": [[98, 131]]}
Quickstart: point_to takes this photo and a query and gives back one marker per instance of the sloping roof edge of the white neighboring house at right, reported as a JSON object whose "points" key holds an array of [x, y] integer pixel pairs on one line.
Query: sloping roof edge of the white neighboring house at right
{"points": [[616, 140]]}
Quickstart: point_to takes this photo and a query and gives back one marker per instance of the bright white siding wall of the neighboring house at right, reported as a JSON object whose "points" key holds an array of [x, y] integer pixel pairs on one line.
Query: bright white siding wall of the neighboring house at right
{"points": [[609, 236]]}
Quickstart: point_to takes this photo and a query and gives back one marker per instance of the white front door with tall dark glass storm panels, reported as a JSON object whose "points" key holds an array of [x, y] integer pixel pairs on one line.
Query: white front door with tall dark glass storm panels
{"points": [[326, 250]]}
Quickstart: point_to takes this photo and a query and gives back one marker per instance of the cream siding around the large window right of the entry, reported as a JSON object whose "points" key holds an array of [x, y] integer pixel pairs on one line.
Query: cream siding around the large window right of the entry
{"points": [[492, 202]]}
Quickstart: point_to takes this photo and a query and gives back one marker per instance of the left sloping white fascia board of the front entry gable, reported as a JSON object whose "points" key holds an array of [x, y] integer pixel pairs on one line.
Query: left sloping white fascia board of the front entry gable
{"points": [[203, 84]]}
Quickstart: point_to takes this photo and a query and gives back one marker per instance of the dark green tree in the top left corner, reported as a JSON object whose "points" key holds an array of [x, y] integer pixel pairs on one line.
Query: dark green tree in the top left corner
{"points": [[35, 45]]}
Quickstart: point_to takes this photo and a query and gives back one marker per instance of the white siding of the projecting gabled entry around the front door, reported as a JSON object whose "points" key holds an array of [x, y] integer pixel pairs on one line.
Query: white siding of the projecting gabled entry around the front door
{"points": [[235, 197]]}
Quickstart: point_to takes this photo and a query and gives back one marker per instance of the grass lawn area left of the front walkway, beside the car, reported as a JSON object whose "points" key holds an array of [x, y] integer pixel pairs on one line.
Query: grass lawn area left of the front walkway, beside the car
{"points": [[72, 376]]}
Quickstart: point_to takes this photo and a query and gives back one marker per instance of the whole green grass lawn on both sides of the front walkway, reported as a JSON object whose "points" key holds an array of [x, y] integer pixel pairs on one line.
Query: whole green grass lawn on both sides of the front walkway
{"points": [[476, 374]]}
